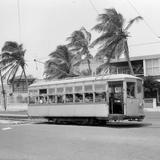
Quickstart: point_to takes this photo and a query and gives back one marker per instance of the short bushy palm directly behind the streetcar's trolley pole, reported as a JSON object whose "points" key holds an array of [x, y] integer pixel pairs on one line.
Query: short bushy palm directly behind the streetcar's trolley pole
{"points": [[62, 64]]}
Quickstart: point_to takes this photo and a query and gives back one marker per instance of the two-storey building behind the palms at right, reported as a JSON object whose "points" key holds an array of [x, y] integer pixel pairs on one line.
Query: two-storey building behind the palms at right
{"points": [[143, 66]]}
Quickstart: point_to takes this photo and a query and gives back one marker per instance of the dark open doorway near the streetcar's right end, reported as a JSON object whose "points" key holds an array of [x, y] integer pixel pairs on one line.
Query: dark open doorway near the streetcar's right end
{"points": [[116, 103]]}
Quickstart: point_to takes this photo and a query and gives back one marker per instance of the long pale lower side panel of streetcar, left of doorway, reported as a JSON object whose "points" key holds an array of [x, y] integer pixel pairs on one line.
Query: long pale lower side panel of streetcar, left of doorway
{"points": [[81, 110]]}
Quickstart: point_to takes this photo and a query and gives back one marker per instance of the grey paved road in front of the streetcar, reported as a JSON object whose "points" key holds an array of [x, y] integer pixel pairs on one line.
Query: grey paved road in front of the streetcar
{"points": [[43, 141]]}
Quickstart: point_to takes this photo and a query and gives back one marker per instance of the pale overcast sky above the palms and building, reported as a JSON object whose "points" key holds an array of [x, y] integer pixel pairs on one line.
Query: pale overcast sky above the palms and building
{"points": [[42, 25]]}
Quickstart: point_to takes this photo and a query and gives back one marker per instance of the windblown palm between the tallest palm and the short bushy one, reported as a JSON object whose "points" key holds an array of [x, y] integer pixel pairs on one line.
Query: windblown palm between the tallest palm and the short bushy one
{"points": [[79, 42]]}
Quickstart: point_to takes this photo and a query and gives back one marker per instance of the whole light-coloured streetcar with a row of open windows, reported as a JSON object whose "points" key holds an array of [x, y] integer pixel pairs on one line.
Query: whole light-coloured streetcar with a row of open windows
{"points": [[92, 99]]}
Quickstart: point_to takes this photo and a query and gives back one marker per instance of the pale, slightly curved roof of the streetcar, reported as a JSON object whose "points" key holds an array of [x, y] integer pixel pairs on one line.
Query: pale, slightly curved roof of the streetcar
{"points": [[83, 79]]}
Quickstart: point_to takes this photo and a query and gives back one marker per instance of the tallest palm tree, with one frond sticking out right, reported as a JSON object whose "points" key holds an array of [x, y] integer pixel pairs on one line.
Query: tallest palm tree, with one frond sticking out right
{"points": [[113, 39]]}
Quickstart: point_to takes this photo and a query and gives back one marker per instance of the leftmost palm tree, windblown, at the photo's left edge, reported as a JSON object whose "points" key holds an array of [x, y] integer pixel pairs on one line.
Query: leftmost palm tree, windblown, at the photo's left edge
{"points": [[12, 59]]}
